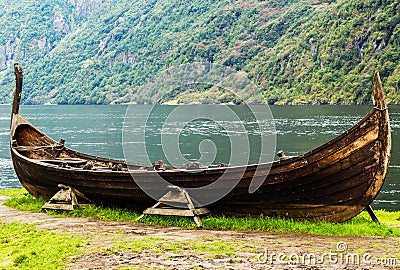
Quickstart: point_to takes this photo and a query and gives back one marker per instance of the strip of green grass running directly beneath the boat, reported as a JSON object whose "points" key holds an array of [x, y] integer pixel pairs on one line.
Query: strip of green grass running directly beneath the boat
{"points": [[360, 225]]}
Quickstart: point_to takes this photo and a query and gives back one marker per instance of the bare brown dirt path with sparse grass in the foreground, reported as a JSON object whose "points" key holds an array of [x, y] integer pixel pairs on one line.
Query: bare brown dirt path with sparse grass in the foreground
{"points": [[178, 248]]}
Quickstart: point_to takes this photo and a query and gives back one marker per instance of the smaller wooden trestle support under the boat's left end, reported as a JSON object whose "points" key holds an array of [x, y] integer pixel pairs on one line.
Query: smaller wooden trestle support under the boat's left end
{"points": [[66, 199]]}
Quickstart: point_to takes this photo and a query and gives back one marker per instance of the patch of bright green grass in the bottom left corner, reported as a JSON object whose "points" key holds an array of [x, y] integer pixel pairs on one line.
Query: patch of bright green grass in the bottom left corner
{"points": [[24, 247]]}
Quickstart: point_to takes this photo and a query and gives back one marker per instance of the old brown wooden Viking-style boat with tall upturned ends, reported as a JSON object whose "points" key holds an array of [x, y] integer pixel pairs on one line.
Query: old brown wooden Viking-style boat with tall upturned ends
{"points": [[333, 182]]}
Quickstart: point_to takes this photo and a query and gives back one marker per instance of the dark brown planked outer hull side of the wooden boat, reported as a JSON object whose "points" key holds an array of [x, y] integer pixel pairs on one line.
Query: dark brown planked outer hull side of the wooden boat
{"points": [[334, 182]]}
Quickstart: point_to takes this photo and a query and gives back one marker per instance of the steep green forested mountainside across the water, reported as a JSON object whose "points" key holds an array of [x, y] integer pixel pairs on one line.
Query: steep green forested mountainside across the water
{"points": [[296, 52]]}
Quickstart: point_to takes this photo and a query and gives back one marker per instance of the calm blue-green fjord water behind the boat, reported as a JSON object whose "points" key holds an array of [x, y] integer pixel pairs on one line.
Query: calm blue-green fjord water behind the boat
{"points": [[98, 130]]}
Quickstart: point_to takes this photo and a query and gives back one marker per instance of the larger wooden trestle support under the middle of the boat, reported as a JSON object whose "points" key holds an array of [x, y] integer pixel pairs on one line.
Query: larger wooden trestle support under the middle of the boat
{"points": [[177, 196]]}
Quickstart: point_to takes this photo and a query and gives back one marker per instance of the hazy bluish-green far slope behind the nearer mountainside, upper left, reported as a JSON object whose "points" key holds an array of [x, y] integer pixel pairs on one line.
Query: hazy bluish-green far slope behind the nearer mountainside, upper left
{"points": [[32, 29]]}
